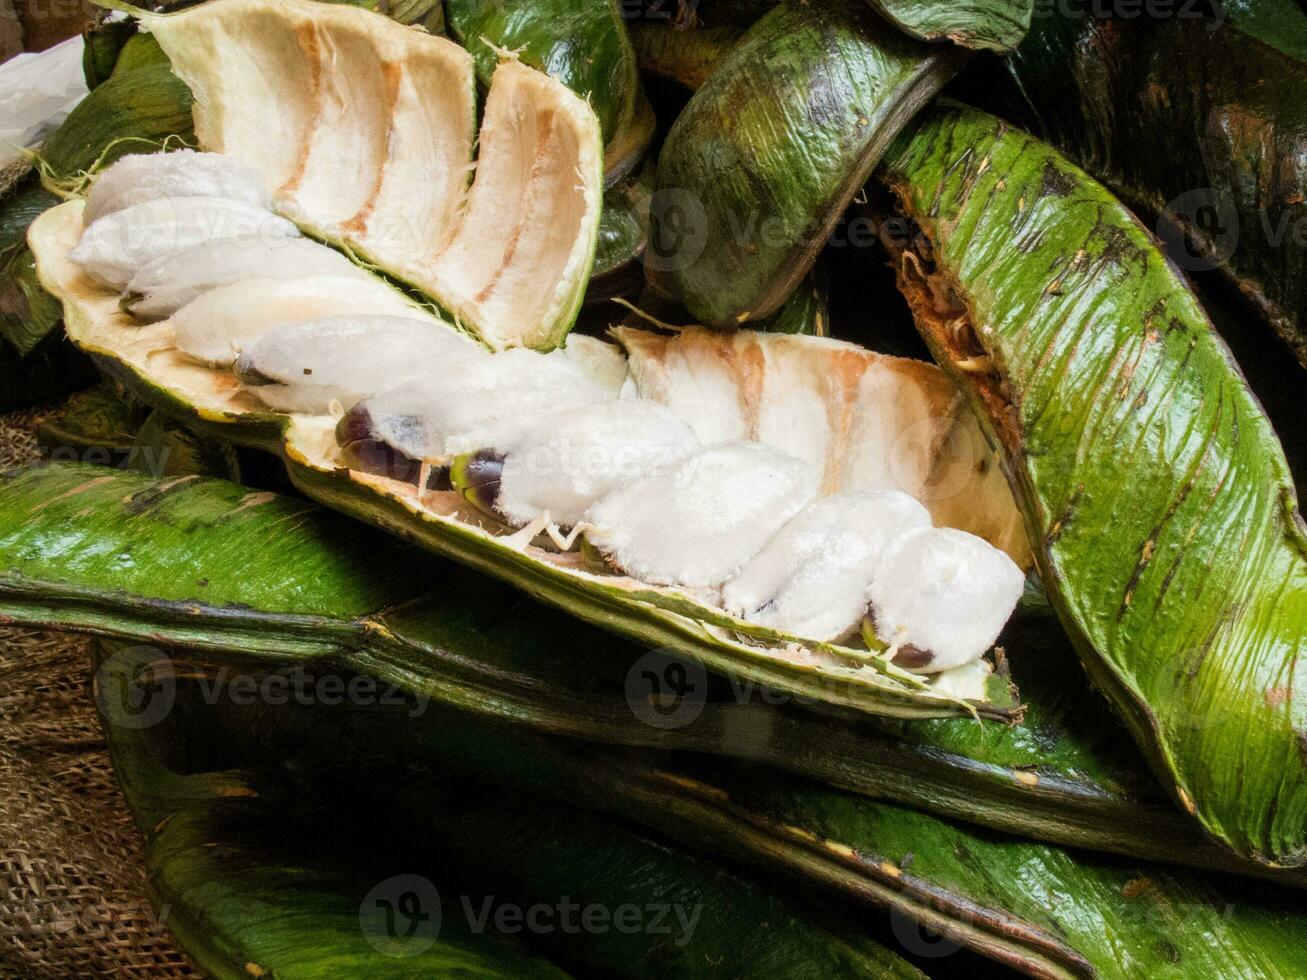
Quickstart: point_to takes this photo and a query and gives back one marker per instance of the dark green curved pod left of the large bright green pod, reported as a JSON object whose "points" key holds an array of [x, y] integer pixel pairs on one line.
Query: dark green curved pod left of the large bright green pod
{"points": [[768, 155]]}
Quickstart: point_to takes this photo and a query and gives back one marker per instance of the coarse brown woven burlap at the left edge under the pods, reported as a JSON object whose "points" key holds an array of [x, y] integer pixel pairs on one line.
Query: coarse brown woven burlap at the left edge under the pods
{"points": [[73, 880]]}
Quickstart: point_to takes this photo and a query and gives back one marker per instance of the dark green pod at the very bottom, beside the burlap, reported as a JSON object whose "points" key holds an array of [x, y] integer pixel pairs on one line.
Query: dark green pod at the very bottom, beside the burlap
{"points": [[224, 847]]}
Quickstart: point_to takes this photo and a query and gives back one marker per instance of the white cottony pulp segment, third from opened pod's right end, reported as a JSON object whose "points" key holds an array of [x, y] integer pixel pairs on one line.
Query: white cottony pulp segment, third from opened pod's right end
{"points": [[696, 522]]}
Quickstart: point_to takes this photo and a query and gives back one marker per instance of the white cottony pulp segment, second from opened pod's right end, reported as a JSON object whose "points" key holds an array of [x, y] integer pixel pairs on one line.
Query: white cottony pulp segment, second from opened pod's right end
{"points": [[812, 578]]}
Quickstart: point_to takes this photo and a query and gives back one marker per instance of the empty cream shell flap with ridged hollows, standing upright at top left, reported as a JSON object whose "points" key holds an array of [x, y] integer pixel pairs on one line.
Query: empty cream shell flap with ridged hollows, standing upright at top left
{"points": [[372, 148]]}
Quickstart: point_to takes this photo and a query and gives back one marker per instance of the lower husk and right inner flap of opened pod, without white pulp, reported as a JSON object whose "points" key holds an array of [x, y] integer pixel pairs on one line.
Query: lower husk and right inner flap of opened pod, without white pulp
{"points": [[848, 415]]}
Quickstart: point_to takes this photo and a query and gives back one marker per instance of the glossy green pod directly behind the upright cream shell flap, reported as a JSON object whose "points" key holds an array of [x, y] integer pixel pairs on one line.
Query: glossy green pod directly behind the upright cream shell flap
{"points": [[584, 45]]}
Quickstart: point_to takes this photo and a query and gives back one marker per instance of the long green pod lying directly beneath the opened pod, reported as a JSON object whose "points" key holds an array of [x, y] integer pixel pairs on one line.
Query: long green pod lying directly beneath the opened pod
{"points": [[335, 591]]}
